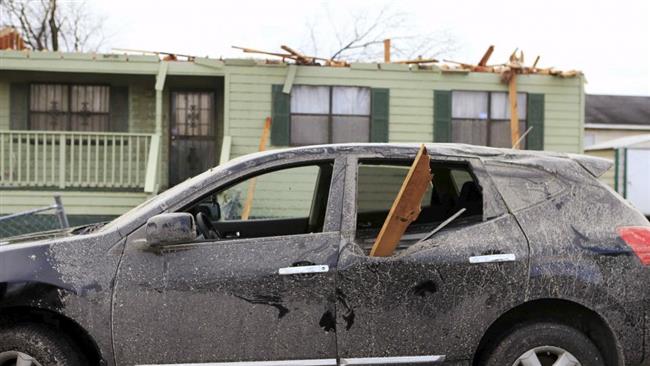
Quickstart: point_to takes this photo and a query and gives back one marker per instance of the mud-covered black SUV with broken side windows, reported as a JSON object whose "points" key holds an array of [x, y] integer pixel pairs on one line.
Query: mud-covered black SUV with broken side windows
{"points": [[265, 261]]}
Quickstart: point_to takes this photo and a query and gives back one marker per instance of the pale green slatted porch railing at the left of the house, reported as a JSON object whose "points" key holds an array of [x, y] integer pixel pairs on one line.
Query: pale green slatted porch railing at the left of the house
{"points": [[64, 159]]}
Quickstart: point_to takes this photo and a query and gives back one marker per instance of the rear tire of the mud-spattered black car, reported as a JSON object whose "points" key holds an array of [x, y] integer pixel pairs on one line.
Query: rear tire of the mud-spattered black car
{"points": [[545, 341]]}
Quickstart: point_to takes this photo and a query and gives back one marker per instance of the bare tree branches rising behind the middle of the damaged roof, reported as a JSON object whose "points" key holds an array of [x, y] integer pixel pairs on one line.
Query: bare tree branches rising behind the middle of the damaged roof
{"points": [[360, 36]]}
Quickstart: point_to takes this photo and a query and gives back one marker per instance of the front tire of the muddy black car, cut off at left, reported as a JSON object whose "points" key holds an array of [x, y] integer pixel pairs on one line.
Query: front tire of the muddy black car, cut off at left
{"points": [[43, 345]]}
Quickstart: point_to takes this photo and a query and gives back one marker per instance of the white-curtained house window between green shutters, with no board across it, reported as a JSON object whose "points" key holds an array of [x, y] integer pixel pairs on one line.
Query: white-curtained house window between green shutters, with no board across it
{"points": [[324, 114]]}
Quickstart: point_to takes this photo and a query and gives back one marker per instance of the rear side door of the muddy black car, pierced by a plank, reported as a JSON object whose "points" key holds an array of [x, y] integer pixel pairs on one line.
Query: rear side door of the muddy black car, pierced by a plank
{"points": [[432, 301]]}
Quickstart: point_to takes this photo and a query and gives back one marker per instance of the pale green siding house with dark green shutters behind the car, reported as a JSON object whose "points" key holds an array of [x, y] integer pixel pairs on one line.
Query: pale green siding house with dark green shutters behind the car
{"points": [[107, 131]]}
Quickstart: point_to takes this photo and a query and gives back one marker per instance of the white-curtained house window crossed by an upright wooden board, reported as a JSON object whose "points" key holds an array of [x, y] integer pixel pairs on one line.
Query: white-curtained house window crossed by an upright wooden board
{"points": [[483, 118]]}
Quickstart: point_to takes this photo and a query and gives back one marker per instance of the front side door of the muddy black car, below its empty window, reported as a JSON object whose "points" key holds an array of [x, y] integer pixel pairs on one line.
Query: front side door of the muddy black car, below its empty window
{"points": [[251, 296]]}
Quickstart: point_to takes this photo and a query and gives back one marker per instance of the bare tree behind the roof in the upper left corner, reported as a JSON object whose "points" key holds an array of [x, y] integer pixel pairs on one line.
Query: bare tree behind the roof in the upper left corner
{"points": [[54, 25]]}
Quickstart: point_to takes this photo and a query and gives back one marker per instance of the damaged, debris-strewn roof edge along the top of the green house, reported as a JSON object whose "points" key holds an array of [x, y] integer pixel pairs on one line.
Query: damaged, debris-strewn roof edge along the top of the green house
{"points": [[148, 63]]}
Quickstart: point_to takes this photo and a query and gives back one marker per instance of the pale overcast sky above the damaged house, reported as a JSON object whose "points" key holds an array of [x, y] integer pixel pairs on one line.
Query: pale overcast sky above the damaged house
{"points": [[608, 40]]}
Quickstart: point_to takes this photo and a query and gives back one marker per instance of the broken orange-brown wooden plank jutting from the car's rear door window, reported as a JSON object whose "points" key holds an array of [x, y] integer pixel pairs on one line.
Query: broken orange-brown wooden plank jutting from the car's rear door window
{"points": [[406, 207]]}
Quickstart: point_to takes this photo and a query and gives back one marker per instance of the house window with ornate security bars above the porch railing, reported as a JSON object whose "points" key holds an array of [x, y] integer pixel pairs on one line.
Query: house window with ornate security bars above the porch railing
{"points": [[63, 107]]}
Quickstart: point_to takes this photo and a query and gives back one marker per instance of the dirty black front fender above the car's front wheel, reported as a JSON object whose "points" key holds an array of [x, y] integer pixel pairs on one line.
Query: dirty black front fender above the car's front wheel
{"points": [[71, 278]]}
